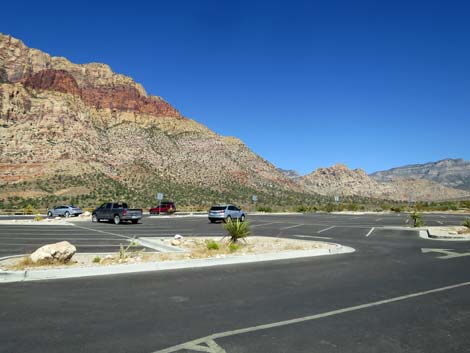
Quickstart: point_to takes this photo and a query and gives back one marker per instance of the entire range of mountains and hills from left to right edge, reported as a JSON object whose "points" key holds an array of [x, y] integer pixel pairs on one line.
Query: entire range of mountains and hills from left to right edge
{"points": [[83, 133]]}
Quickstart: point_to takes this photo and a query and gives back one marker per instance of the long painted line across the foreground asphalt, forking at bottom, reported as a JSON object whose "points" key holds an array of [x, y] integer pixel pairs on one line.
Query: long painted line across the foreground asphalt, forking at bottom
{"points": [[207, 344]]}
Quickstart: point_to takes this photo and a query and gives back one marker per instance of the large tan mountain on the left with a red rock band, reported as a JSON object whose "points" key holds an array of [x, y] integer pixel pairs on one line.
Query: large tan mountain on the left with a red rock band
{"points": [[85, 124]]}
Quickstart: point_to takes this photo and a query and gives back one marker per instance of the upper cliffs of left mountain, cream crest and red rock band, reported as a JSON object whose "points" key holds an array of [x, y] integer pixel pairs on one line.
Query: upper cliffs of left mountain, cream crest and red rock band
{"points": [[96, 84]]}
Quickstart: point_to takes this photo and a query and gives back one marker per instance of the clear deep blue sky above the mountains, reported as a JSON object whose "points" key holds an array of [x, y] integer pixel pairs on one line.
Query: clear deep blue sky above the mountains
{"points": [[305, 84]]}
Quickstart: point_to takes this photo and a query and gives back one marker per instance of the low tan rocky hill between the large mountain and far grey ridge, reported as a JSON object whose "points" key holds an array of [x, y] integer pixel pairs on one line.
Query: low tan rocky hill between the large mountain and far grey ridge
{"points": [[340, 180]]}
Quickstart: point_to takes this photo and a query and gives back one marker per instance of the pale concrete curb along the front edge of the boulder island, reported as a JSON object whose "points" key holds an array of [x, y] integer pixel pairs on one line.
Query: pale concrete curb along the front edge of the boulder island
{"points": [[36, 275]]}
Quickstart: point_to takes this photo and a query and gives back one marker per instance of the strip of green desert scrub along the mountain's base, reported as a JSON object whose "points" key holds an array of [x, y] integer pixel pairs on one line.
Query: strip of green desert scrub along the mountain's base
{"points": [[90, 190]]}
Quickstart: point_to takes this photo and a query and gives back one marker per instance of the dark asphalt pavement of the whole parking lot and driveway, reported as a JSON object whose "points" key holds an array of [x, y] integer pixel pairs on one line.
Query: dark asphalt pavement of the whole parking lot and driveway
{"points": [[388, 296]]}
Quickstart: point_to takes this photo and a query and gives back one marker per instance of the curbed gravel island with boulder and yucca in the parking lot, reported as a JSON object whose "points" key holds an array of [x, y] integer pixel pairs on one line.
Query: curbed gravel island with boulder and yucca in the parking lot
{"points": [[177, 253]]}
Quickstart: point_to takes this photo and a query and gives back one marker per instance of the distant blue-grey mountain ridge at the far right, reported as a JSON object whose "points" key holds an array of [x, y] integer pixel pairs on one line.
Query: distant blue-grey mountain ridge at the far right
{"points": [[453, 173]]}
